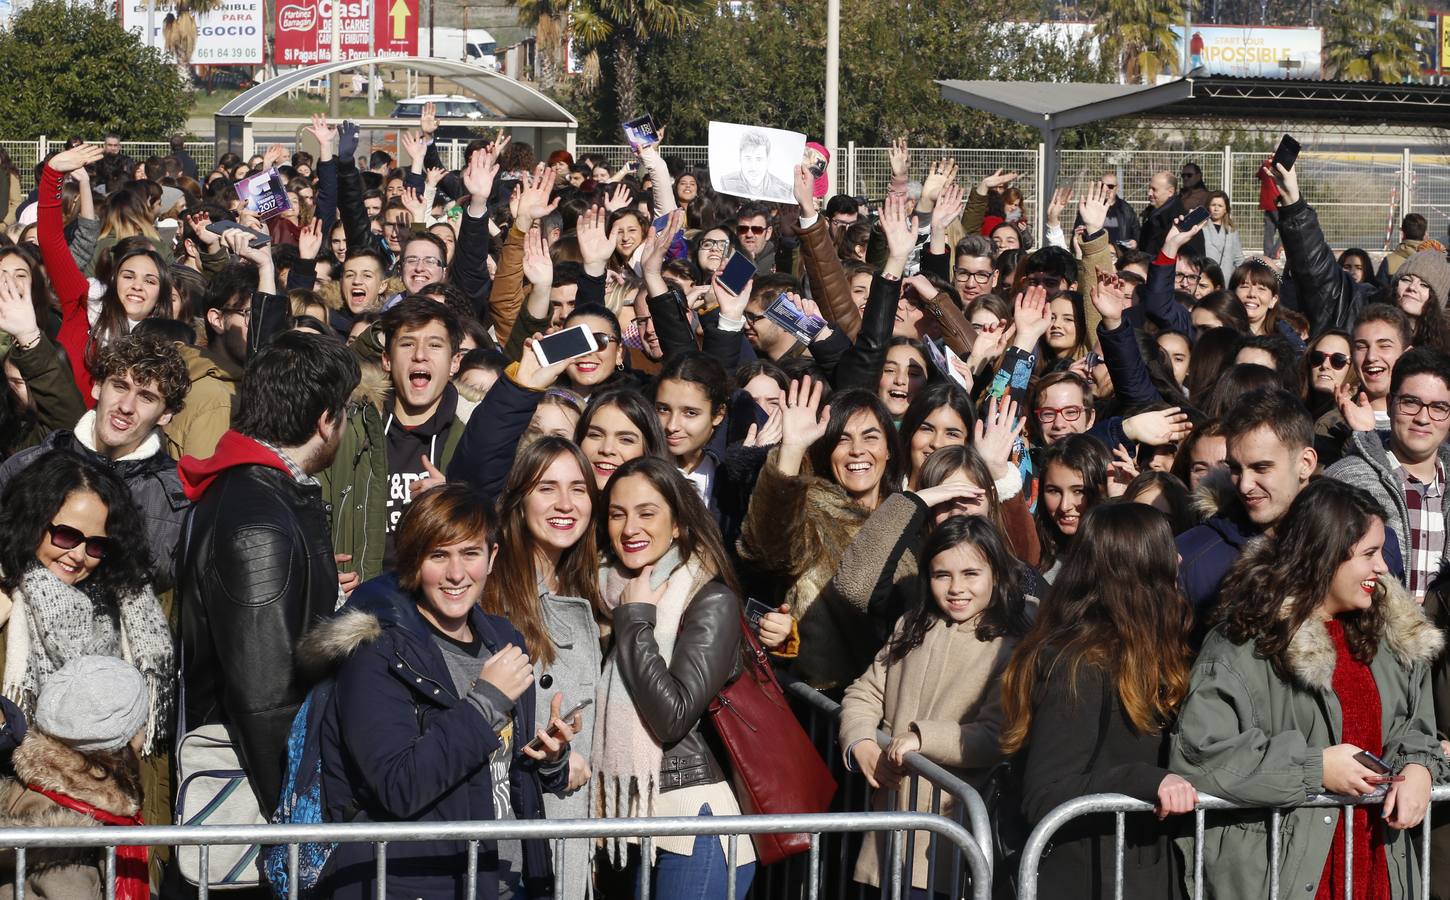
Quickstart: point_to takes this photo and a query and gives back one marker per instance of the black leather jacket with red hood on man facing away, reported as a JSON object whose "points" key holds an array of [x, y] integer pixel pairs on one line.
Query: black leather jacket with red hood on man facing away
{"points": [[256, 572]]}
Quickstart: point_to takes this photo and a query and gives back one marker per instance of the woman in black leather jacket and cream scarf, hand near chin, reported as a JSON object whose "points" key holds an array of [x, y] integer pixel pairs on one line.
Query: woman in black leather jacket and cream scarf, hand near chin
{"points": [[676, 618]]}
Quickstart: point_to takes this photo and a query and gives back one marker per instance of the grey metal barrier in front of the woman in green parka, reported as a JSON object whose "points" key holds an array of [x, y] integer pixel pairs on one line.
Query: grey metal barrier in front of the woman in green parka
{"points": [[1122, 805]]}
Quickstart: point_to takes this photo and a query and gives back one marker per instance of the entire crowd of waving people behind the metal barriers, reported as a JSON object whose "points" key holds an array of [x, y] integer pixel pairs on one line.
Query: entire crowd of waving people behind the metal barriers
{"points": [[1129, 512]]}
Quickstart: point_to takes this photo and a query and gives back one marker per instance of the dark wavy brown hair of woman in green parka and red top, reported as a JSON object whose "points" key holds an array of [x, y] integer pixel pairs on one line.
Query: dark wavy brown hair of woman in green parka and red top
{"points": [[1313, 540]]}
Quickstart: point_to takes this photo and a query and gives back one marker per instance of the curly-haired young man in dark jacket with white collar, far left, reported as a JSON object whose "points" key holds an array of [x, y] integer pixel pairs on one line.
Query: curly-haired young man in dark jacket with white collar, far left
{"points": [[143, 382]]}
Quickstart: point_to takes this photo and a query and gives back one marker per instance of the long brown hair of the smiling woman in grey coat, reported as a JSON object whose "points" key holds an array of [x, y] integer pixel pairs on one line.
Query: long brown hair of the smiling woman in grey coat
{"points": [[513, 591]]}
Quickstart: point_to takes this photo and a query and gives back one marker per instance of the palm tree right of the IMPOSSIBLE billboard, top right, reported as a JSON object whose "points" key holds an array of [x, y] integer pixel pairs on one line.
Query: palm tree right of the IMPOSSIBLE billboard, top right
{"points": [[1374, 41]]}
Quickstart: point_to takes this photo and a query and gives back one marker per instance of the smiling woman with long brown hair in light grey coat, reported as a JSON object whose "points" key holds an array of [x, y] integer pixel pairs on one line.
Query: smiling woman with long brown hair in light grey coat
{"points": [[546, 583]]}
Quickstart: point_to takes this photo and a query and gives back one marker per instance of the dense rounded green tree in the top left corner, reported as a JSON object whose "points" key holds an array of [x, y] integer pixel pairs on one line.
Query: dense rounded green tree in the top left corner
{"points": [[73, 69]]}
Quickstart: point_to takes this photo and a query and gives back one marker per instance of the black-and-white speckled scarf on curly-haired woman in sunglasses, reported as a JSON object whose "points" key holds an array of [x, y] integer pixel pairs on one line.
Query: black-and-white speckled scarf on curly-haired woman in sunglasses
{"points": [[54, 622]]}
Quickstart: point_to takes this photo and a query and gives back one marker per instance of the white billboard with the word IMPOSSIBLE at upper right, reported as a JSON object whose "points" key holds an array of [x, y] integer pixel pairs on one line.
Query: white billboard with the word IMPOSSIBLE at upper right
{"points": [[1254, 51]]}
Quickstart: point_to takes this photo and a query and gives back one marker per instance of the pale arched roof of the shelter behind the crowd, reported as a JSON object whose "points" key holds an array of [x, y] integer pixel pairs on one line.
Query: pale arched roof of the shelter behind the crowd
{"points": [[508, 98]]}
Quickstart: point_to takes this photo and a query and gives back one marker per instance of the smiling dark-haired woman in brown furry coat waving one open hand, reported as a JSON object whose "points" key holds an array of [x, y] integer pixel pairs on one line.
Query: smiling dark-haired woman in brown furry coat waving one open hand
{"points": [[816, 492]]}
